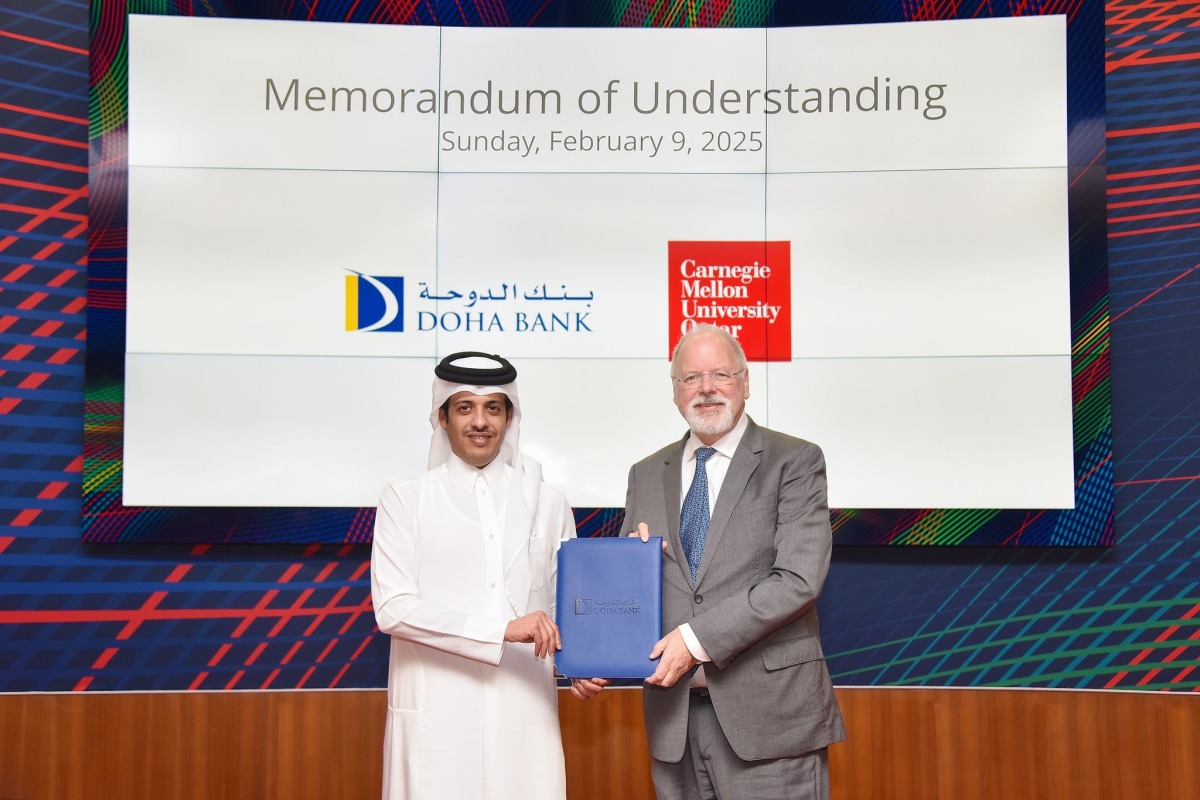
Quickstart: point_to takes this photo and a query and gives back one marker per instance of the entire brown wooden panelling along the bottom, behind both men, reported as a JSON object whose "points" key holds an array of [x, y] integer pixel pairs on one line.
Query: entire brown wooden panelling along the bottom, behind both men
{"points": [[907, 744]]}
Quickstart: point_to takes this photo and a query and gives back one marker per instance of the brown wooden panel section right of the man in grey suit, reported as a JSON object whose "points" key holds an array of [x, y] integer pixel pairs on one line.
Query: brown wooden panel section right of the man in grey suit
{"points": [[944, 744]]}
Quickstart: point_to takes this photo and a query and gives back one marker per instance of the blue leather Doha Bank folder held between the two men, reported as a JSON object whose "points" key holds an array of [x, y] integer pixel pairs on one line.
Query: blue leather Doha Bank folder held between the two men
{"points": [[610, 606]]}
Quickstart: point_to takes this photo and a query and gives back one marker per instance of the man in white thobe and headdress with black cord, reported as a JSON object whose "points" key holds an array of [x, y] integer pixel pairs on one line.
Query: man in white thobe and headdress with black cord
{"points": [[463, 579]]}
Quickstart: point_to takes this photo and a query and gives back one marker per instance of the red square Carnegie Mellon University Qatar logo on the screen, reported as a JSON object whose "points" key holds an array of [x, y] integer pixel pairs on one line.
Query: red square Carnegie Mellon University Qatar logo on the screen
{"points": [[745, 287]]}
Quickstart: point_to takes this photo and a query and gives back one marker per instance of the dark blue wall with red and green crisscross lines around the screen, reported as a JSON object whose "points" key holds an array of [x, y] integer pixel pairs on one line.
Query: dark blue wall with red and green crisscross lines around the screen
{"points": [[79, 617]]}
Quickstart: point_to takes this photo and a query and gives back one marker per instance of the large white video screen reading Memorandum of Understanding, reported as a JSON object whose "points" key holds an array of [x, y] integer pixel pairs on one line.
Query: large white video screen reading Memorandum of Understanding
{"points": [[319, 213]]}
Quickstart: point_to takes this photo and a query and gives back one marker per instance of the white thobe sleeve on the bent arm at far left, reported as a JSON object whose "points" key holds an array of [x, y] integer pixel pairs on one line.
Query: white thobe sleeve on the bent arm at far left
{"points": [[400, 611]]}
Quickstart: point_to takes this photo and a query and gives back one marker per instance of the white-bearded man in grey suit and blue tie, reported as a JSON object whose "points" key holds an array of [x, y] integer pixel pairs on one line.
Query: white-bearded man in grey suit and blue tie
{"points": [[741, 705]]}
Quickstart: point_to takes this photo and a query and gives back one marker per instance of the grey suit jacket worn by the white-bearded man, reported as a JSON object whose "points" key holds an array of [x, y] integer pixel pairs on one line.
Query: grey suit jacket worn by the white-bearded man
{"points": [[754, 603]]}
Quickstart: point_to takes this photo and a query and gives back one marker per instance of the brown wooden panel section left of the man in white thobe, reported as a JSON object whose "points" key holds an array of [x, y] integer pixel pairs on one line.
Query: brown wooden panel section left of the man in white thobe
{"points": [[191, 747]]}
